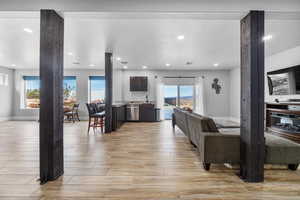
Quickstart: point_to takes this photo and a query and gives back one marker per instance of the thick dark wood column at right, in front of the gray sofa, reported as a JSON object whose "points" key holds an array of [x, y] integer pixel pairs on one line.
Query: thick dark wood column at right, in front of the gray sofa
{"points": [[252, 97]]}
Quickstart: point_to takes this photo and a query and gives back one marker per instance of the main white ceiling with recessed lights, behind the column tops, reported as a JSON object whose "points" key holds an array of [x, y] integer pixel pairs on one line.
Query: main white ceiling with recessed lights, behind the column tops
{"points": [[143, 39]]}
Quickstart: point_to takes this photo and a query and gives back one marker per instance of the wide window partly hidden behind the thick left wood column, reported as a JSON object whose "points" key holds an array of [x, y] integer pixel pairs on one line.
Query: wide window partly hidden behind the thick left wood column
{"points": [[32, 91]]}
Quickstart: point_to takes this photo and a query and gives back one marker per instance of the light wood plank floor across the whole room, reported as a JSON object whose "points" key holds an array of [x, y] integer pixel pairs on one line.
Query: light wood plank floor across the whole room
{"points": [[140, 161]]}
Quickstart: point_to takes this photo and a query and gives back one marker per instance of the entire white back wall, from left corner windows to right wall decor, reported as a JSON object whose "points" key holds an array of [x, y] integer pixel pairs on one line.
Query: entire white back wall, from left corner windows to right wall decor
{"points": [[215, 105]]}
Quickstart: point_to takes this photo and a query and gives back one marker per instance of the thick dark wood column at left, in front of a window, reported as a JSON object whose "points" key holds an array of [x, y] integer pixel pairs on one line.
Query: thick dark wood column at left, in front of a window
{"points": [[51, 96]]}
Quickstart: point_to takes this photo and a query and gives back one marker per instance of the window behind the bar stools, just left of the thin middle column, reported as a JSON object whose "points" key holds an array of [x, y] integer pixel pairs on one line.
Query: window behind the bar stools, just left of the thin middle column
{"points": [[97, 89]]}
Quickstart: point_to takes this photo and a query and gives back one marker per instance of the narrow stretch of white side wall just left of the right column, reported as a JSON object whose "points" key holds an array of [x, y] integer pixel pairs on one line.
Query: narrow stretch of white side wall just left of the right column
{"points": [[235, 94]]}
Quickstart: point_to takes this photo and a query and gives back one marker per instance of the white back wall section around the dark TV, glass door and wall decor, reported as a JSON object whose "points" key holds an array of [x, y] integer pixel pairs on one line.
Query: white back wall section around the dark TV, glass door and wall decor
{"points": [[216, 105]]}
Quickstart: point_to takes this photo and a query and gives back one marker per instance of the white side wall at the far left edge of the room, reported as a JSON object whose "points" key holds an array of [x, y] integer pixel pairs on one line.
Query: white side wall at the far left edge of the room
{"points": [[6, 97]]}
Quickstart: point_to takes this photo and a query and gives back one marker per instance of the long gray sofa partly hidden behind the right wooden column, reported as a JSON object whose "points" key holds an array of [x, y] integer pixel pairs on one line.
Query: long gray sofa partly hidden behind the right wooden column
{"points": [[224, 147]]}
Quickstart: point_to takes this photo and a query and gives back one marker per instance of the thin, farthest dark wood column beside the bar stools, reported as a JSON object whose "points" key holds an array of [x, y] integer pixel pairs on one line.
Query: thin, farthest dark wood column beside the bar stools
{"points": [[108, 92]]}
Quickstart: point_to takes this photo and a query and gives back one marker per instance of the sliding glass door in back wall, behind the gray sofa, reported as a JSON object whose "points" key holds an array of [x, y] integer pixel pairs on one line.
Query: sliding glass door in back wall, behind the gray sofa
{"points": [[177, 95]]}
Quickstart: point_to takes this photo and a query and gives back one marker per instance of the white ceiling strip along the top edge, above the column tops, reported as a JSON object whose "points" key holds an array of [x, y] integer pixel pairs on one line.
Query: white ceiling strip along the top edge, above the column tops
{"points": [[151, 5]]}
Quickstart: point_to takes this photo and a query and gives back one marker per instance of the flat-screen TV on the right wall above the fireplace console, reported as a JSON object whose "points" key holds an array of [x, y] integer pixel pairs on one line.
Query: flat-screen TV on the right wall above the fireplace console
{"points": [[284, 81]]}
